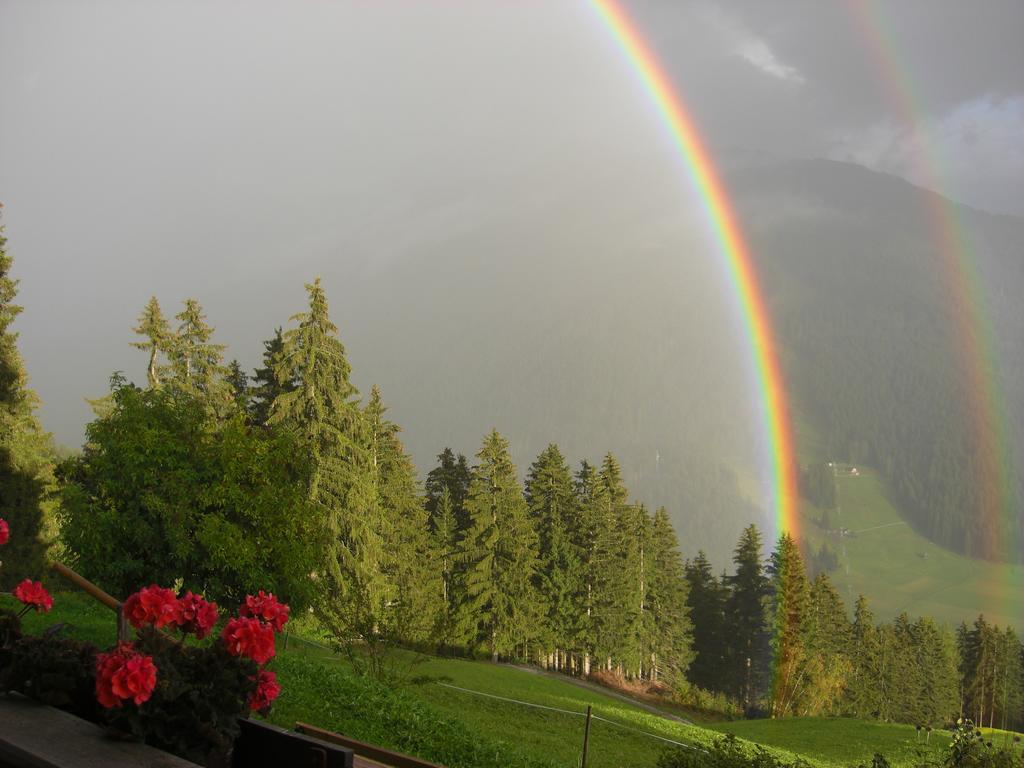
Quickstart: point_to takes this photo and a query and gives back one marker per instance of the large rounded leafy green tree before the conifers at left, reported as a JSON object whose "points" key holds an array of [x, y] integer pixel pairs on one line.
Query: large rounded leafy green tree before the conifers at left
{"points": [[162, 494]]}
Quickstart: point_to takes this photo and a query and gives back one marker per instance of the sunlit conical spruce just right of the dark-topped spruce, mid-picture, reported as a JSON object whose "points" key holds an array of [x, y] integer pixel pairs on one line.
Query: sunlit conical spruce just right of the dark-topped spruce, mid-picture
{"points": [[499, 554]]}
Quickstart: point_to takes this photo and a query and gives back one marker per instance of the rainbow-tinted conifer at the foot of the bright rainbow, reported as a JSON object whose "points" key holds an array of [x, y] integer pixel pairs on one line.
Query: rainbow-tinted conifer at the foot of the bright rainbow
{"points": [[791, 596]]}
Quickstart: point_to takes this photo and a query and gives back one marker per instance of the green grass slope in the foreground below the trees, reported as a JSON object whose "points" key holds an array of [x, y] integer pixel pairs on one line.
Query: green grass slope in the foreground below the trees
{"points": [[429, 718]]}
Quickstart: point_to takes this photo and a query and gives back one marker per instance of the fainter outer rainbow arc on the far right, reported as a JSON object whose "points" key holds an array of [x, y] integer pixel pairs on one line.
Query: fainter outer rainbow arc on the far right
{"points": [[970, 323]]}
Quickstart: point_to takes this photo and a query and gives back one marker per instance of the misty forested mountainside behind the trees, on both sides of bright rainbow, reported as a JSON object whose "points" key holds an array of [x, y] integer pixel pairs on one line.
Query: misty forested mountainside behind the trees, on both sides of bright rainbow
{"points": [[614, 327]]}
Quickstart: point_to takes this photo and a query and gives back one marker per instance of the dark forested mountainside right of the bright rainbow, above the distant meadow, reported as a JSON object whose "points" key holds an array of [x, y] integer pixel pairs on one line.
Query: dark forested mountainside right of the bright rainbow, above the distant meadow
{"points": [[863, 307]]}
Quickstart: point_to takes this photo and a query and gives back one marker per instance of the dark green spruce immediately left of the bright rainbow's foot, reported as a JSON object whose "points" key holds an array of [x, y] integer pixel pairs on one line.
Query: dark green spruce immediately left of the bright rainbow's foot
{"points": [[747, 643]]}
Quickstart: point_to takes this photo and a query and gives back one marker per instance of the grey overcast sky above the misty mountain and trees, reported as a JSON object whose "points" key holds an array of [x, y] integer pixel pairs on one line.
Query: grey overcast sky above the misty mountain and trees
{"points": [[233, 150]]}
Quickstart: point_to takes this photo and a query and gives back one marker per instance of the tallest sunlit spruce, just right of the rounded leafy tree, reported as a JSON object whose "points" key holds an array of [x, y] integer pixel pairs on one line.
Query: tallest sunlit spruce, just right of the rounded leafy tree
{"points": [[324, 412]]}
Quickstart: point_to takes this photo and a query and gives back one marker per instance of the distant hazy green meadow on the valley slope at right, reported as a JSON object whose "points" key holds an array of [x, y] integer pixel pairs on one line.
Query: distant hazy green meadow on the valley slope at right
{"points": [[900, 570]]}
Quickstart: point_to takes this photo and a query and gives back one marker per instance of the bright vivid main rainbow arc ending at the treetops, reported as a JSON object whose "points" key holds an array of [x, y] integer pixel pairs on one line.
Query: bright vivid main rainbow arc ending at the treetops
{"points": [[743, 276]]}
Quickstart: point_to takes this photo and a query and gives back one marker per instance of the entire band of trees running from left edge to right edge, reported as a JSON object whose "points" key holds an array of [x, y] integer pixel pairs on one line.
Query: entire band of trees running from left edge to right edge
{"points": [[292, 481]]}
